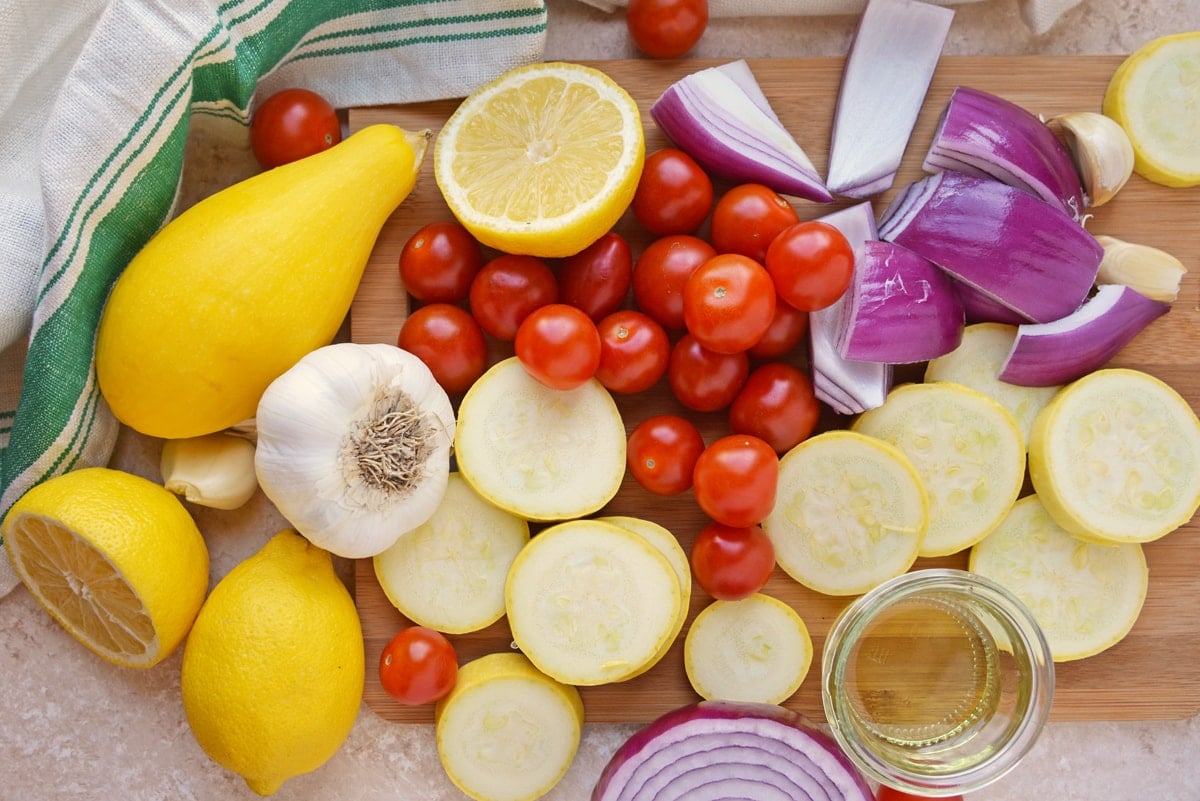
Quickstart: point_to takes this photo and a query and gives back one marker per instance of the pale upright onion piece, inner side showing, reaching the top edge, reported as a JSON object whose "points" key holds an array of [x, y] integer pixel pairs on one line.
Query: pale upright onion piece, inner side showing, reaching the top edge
{"points": [[884, 85]]}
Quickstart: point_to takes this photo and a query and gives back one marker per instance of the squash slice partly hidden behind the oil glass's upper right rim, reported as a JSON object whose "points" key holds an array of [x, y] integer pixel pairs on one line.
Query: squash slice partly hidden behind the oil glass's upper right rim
{"points": [[1085, 597]]}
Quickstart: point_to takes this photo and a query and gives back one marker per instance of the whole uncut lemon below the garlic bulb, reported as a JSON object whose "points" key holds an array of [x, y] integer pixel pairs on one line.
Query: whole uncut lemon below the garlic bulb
{"points": [[274, 667]]}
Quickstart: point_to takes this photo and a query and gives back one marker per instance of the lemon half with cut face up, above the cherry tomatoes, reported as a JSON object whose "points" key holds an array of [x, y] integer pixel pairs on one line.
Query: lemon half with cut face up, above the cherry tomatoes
{"points": [[542, 161]]}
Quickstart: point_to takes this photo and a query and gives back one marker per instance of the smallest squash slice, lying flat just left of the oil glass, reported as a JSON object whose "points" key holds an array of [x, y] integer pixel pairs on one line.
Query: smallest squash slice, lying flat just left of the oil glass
{"points": [[757, 649]]}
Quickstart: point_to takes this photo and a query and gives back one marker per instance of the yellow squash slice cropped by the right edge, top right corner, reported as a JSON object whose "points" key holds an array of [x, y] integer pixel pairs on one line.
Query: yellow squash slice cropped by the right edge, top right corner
{"points": [[1155, 95]]}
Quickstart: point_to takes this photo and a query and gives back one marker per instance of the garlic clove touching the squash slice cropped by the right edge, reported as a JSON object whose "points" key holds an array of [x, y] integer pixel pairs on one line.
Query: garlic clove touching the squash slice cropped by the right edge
{"points": [[1102, 152]]}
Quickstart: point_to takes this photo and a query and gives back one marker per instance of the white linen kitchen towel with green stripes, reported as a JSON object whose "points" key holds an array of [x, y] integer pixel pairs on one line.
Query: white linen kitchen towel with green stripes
{"points": [[95, 107]]}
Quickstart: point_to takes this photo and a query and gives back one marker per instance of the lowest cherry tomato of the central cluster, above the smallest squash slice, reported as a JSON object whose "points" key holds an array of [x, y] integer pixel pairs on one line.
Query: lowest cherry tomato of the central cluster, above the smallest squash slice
{"points": [[730, 563]]}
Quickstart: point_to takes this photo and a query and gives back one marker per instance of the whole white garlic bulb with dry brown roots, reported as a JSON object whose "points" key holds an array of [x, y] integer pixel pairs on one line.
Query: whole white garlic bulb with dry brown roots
{"points": [[355, 447]]}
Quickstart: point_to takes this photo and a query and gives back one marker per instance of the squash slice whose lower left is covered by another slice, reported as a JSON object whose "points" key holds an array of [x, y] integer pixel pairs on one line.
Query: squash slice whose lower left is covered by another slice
{"points": [[968, 451]]}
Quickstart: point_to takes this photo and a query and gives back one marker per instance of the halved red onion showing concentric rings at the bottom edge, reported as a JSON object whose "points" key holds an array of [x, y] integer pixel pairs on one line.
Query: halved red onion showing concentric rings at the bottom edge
{"points": [[730, 750]]}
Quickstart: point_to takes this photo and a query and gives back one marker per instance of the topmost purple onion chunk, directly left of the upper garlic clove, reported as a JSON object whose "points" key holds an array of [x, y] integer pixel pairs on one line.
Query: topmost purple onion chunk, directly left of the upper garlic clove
{"points": [[987, 136]]}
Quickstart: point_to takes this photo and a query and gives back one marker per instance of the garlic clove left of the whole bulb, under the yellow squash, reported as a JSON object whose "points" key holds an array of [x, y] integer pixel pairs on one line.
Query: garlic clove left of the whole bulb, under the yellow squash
{"points": [[215, 471]]}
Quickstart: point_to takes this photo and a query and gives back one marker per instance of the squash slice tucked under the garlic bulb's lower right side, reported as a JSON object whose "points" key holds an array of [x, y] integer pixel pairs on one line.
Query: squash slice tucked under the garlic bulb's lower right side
{"points": [[449, 573]]}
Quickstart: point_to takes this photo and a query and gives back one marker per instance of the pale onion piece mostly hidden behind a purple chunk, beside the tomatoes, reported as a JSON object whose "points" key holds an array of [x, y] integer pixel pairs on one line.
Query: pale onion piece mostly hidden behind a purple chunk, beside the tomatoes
{"points": [[847, 387]]}
